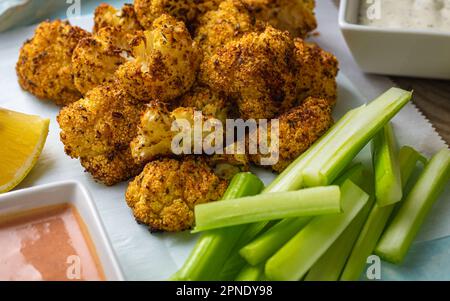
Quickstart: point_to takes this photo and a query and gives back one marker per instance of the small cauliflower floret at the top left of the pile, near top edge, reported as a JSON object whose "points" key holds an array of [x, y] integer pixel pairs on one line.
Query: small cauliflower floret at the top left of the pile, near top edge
{"points": [[124, 20]]}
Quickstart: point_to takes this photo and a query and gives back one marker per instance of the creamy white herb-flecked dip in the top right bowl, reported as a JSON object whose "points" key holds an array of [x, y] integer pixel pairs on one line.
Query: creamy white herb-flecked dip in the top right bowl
{"points": [[411, 14]]}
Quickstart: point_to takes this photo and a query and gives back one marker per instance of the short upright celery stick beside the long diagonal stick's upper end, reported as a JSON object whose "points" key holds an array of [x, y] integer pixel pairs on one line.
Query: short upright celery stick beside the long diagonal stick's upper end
{"points": [[388, 182]]}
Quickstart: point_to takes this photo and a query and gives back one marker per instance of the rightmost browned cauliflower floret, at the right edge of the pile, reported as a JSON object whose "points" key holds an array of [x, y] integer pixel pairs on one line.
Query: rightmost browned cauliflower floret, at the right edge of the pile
{"points": [[317, 73]]}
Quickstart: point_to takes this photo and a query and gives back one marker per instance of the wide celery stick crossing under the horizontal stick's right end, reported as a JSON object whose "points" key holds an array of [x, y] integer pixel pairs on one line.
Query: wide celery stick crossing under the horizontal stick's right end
{"points": [[295, 258]]}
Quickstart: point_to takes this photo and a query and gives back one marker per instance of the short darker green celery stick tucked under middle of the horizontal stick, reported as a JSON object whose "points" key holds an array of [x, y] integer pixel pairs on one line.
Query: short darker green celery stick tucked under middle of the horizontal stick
{"points": [[259, 250]]}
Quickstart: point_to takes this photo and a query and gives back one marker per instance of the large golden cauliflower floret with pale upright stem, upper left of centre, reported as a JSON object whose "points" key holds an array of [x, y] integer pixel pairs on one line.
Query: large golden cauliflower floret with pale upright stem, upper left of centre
{"points": [[165, 64]]}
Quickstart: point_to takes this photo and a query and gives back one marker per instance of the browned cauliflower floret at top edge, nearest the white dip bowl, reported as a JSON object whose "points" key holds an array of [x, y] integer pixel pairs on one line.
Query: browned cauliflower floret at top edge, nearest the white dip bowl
{"points": [[295, 16]]}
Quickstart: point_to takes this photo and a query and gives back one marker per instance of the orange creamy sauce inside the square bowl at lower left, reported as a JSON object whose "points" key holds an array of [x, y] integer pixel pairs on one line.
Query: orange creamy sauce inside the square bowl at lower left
{"points": [[50, 243]]}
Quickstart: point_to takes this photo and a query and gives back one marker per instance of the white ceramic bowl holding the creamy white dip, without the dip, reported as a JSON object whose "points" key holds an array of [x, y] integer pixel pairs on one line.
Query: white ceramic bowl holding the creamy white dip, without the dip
{"points": [[404, 52]]}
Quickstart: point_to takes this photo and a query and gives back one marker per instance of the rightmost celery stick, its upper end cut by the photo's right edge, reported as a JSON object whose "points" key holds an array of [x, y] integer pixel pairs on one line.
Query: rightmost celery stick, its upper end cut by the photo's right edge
{"points": [[396, 241]]}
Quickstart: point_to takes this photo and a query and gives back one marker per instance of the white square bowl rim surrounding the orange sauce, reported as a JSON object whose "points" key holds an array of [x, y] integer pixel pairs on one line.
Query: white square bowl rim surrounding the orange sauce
{"points": [[75, 194]]}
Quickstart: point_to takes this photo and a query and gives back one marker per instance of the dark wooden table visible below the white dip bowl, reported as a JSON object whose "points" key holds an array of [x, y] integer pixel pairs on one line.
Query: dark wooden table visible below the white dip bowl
{"points": [[432, 97]]}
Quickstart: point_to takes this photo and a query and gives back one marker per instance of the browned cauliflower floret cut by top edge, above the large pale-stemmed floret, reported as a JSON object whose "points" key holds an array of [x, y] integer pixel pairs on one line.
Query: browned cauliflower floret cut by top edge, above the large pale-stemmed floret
{"points": [[185, 10]]}
